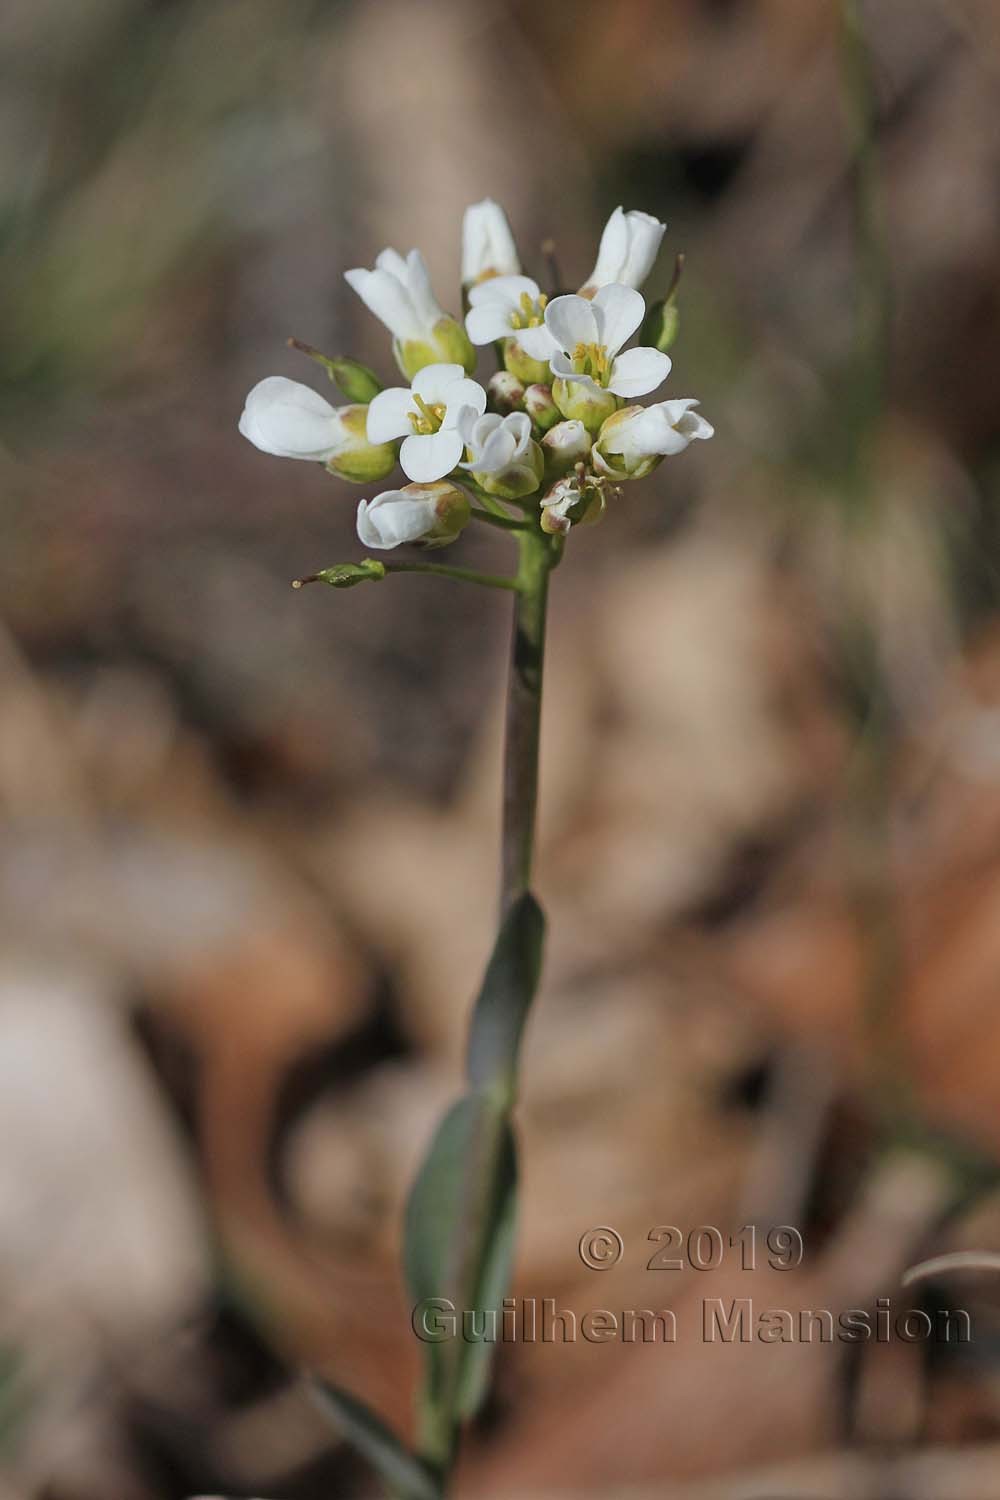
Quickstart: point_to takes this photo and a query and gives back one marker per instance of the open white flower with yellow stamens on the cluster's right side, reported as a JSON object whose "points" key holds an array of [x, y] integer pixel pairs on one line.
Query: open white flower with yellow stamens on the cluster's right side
{"points": [[591, 332]]}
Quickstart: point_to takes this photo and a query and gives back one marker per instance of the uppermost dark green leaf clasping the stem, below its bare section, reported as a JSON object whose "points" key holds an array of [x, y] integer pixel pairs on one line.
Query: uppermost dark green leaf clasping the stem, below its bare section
{"points": [[509, 988]]}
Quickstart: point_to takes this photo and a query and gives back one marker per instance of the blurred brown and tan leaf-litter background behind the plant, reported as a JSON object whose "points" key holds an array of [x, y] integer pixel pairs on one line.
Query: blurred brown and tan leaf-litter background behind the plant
{"points": [[250, 836]]}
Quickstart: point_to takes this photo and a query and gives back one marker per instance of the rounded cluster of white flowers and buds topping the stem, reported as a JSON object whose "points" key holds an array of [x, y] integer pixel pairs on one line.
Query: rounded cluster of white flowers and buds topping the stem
{"points": [[555, 433]]}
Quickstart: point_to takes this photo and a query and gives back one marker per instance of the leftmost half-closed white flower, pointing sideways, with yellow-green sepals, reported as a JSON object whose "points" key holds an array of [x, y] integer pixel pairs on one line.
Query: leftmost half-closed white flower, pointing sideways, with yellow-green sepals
{"points": [[295, 422]]}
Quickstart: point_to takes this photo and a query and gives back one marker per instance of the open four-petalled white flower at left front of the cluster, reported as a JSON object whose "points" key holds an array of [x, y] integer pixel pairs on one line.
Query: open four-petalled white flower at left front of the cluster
{"points": [[427, 416]]}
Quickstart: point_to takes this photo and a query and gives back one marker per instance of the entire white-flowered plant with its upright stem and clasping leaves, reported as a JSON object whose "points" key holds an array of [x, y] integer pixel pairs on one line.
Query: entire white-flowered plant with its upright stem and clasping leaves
{"points": [[551, 442]]}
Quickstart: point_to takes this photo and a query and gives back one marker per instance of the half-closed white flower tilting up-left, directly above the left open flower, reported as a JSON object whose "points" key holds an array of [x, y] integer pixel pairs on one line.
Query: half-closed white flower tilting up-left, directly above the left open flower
{"points": [[398, 292]]}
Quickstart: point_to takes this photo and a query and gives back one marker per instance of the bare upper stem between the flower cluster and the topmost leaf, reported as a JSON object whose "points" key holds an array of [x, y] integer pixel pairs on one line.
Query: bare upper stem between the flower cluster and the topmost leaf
{"points": [[524, 715]]}
